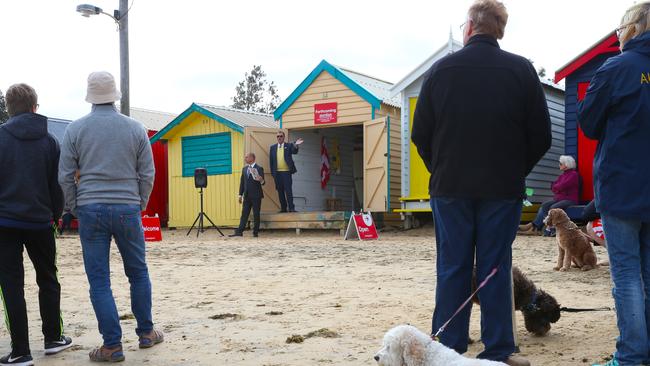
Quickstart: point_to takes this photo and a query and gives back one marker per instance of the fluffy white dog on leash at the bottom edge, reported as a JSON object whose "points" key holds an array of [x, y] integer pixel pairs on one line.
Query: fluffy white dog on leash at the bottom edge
{"points": [[405, 345]]}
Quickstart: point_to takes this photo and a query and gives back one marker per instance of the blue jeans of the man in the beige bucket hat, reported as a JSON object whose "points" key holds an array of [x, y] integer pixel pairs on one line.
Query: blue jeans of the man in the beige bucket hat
{"points": [[98, 223]]}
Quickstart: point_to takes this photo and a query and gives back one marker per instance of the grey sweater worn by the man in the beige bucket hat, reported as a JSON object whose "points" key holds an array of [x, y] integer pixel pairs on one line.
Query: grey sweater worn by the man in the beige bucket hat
{"points": [[113, 156]]}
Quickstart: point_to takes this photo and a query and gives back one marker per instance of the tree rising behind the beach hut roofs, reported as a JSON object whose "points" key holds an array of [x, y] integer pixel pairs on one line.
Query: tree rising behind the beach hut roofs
{"points": [[255, 93]]}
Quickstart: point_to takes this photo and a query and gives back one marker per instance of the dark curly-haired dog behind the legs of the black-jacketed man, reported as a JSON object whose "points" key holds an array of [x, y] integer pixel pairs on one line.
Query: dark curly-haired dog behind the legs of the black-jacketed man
{"points": [[538, 307]]}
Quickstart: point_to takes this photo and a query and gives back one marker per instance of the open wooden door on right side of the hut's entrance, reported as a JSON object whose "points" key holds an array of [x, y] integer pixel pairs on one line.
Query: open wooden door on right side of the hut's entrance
{"points": [[375, 160]]}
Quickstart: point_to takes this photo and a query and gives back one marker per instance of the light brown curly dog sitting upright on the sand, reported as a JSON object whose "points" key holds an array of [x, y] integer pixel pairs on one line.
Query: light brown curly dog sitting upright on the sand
{"points": [[573, 245]]}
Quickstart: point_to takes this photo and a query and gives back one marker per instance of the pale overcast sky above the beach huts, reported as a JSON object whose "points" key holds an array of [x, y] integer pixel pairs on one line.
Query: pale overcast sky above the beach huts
{"points": [[198, 50]]}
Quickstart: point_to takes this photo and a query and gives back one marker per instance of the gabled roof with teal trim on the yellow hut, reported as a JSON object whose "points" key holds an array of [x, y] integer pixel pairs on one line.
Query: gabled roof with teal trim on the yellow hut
{"points": [[235, 119]]}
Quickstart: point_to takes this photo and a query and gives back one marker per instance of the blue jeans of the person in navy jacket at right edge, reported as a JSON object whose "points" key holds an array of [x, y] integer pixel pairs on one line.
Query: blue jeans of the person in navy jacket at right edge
{"points": [[628, 246]]}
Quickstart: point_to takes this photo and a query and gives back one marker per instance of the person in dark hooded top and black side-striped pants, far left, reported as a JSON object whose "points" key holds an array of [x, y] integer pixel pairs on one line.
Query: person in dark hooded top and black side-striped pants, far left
{"points": [[30, 201]]}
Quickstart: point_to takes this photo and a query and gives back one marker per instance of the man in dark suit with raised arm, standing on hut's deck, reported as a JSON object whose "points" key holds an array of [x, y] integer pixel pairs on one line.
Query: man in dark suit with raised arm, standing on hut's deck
{"points": [[282, 167]]}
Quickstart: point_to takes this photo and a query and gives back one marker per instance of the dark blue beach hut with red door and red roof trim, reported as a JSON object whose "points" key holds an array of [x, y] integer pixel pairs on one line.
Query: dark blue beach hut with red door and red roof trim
{"points": [[578, 74]]}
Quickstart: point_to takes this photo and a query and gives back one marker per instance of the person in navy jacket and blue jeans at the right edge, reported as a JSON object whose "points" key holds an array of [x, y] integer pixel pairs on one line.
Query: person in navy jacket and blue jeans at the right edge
{"points": [[616, 112]]}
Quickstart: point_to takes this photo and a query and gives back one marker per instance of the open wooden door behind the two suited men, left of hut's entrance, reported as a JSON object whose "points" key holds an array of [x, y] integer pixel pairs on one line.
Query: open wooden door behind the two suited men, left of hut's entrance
{"points": [[258, 140]]}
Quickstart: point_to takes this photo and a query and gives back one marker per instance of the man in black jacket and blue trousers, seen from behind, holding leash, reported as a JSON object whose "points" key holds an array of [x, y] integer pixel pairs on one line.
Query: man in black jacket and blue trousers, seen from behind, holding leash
{"points": [[480, 125]]}
